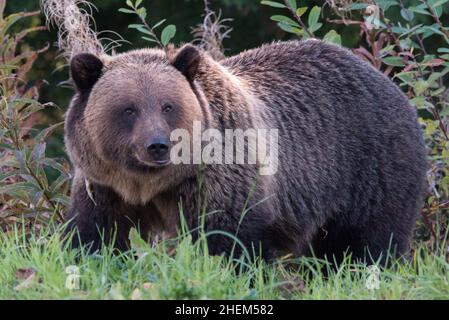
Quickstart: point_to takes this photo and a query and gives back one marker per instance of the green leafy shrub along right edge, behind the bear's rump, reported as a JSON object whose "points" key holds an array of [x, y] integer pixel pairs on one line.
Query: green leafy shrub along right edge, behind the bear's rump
{"points": [[412, 48]]}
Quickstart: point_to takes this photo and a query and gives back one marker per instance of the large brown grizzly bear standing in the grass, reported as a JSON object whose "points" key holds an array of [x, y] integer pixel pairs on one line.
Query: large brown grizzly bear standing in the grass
{"points": [[351, 158]]}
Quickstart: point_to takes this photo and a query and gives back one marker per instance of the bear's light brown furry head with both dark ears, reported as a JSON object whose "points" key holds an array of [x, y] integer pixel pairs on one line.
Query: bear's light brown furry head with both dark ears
{"points": [[126, 107]]}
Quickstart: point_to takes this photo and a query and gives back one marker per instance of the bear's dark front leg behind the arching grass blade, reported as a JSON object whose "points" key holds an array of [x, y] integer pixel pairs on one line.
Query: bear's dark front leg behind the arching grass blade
{"points": [[231, 228]]}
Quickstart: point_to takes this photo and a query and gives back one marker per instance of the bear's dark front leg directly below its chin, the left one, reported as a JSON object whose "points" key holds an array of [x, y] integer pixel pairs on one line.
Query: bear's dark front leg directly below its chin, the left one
{"points": [[101, 216]]}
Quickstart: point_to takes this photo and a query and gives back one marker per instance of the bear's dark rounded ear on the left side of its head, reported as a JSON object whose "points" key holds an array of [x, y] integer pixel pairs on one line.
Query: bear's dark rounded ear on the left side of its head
{"points": [[85, 70]]}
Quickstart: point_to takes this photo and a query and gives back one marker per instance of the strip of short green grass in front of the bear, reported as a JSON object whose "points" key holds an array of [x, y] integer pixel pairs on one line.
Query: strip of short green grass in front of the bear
{"points": [[190, 273]]}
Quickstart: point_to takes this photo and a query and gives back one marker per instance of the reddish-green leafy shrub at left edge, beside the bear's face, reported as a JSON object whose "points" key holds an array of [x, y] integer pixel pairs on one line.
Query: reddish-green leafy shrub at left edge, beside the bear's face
{"points": [[26, 194]]}
